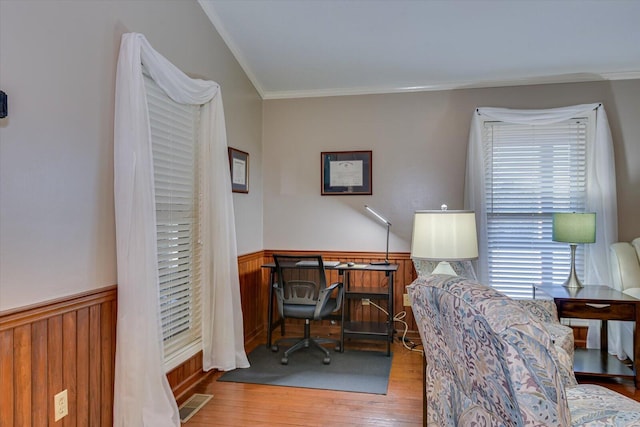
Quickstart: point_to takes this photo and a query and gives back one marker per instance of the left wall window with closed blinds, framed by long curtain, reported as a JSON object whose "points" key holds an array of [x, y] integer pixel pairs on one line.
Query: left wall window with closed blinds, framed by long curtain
{"points": [[174, 144]]}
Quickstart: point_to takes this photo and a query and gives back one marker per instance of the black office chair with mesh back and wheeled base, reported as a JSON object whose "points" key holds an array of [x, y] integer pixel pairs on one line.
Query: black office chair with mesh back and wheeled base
{"points": [[302, 293]]}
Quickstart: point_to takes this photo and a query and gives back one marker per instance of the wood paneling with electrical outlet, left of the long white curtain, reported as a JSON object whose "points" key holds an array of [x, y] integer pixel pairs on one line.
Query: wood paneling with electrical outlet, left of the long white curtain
{"points": [[67, 344]]}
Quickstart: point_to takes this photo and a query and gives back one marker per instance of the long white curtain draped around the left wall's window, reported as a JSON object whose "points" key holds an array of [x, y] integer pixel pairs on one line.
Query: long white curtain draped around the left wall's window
{"points": [[142, 396]]}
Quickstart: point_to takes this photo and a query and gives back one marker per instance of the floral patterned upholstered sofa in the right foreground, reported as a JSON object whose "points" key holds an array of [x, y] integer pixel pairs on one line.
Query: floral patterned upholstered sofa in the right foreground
{"points": [[489, 362]]}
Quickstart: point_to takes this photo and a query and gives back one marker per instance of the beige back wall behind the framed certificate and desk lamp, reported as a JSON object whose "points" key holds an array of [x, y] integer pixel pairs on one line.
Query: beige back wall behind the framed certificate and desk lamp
{"points": [[419, 143]]}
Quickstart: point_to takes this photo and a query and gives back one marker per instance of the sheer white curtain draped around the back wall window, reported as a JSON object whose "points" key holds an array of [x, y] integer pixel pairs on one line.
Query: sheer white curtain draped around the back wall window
{"points": [[601, 193]]}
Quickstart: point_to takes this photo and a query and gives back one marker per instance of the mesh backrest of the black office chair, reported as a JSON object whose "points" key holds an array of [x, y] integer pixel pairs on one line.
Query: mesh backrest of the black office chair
{"points": [[300, 278]]}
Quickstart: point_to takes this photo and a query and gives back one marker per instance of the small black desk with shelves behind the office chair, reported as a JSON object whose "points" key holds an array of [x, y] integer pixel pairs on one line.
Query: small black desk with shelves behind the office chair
{"points": [[352, 329]]}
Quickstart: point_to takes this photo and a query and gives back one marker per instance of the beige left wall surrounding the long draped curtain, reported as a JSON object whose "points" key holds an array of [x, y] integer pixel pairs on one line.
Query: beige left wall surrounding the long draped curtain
{"points": [[57, 65]]}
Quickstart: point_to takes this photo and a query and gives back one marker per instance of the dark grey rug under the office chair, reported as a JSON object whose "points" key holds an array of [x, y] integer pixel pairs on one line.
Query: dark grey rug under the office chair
{"points": [[355, 371]]}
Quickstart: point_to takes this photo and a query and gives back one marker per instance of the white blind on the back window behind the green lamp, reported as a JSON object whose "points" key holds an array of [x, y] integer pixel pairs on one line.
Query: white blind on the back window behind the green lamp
{"points": [[531, 172]]}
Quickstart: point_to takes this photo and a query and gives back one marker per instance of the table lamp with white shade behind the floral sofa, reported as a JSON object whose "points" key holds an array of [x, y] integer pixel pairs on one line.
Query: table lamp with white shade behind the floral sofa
{"points": [[444, 236]]}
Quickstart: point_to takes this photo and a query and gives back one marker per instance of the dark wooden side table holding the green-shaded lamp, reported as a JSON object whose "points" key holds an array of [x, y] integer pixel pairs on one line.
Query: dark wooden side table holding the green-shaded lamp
{"points": [[600, 303]]}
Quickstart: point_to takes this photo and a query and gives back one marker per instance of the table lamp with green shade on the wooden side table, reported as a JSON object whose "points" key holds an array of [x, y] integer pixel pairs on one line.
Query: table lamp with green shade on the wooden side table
{"points": [[574, 228]]}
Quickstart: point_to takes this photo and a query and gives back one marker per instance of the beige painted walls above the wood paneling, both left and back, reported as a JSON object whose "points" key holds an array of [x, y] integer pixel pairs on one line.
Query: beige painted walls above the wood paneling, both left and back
{"points": [[57, 64]]}
